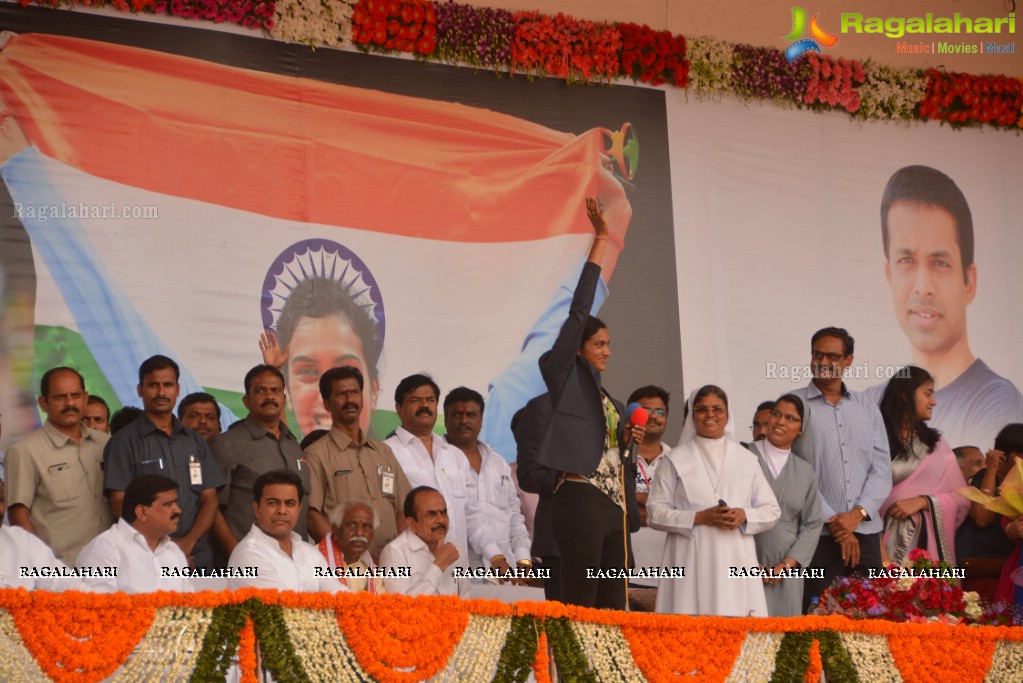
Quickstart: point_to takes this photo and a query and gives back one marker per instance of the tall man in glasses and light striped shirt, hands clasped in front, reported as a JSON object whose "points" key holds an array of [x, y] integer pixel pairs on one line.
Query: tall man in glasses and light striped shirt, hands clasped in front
{"points": [[850, 450]]}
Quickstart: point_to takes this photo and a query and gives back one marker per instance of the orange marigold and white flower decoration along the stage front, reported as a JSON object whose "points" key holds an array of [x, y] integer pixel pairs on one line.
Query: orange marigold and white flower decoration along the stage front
{"points": [[849, 651]]}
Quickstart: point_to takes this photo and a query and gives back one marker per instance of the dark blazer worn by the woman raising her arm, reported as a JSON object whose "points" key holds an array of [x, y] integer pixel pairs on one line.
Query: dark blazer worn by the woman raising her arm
{"points": [[574, 438]]}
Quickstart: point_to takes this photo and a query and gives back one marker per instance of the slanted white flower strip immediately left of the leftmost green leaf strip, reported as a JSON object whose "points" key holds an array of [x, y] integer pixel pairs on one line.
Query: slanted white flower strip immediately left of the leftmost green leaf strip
{"points": [[169, 649]]}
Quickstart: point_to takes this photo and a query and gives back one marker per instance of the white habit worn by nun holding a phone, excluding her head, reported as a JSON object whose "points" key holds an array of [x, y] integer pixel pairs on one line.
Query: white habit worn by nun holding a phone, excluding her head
{"points": [[687, 482]]}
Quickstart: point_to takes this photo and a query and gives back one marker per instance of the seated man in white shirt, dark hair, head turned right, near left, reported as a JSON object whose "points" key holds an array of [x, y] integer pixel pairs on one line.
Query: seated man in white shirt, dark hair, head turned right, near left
{"points": [[137, 555]]}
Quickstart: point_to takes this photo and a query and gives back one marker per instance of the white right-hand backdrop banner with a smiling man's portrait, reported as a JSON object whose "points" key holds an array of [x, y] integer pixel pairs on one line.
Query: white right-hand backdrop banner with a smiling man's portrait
{"points": [[778, 219]]}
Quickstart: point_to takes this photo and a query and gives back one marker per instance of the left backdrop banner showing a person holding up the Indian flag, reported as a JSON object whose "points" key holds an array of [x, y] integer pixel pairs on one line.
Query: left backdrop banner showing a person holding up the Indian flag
{"points": [[186, 191]]}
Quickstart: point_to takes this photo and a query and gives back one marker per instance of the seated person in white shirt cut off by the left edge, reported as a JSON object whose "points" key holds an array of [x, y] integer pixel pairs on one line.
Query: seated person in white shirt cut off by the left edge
{"points": [[28, 563]]}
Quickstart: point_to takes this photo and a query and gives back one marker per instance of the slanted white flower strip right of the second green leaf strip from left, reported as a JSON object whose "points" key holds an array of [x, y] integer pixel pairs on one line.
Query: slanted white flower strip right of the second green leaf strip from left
{"points": [[322, 647]]}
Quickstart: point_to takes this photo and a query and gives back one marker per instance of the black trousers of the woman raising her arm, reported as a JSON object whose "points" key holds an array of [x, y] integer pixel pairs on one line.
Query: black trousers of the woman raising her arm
{"points": [[590, 531]]}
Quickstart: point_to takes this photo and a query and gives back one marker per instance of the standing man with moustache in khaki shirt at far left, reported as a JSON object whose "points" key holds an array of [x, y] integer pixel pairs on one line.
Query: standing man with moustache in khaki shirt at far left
{"points": [[55, 476]]}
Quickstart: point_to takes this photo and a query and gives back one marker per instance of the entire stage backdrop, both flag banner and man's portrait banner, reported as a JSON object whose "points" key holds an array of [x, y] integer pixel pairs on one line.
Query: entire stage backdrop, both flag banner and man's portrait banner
{"points": [[182, 191]]}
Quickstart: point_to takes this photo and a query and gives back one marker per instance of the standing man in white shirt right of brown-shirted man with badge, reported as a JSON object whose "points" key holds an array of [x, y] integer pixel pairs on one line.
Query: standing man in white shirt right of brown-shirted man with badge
{"points": [[433, 463]]}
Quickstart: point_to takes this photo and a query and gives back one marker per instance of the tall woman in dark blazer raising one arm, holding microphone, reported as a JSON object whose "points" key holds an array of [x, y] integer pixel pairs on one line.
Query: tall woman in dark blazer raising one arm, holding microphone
{"points": [[595, 503]]}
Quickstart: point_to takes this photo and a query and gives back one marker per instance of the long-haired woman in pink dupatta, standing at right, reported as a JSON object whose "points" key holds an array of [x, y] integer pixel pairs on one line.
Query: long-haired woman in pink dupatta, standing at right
{"points": [[923, 511]]}
